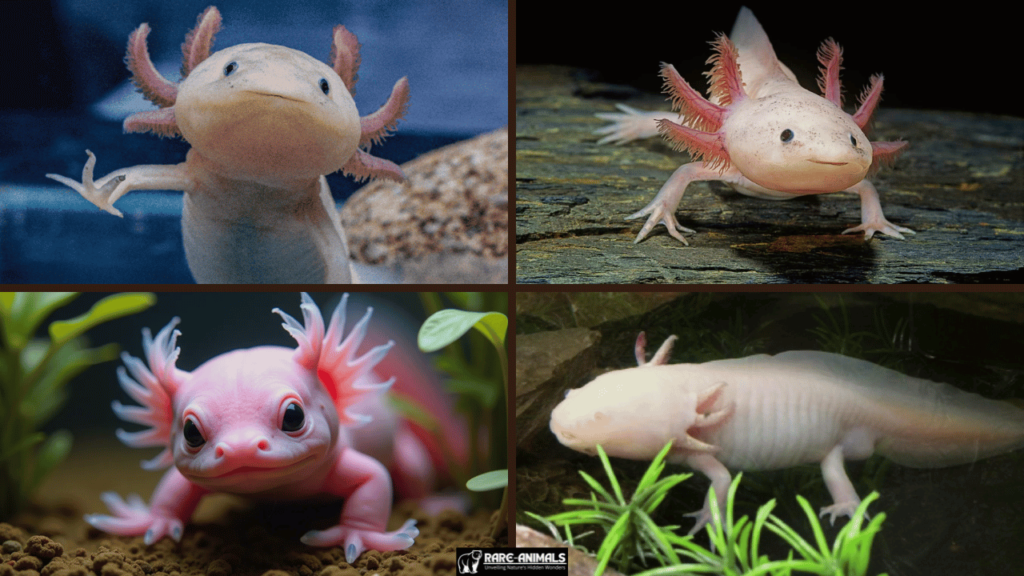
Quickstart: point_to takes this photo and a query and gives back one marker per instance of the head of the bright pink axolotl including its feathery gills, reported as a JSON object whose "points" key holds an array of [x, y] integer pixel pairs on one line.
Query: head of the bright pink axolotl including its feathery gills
{"points": [[258, 420]]}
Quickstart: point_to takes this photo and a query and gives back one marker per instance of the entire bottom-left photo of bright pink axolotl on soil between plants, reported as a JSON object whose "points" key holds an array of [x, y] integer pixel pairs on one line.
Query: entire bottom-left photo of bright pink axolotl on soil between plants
{"points": [[236, 434]]}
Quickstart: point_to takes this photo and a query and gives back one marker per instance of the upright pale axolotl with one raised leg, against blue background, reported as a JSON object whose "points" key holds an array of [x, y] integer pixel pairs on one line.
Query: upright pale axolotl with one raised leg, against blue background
{"points": [[266, 125]]}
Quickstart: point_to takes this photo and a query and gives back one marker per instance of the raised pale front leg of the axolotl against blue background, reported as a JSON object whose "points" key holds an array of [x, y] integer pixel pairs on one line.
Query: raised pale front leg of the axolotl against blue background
{"points": [[112, 187]]}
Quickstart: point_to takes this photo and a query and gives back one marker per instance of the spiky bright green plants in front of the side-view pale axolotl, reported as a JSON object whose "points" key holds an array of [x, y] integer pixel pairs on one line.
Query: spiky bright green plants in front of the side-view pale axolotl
{"points": [[630, 533]]}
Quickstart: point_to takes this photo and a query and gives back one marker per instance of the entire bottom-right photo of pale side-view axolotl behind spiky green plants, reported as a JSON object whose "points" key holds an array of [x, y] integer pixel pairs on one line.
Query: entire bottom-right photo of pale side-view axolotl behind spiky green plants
{"points": [[846, 434]]}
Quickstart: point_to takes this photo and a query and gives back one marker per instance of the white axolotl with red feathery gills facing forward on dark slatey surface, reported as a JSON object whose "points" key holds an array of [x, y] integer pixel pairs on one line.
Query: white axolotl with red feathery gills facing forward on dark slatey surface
{"points": [[762, 134]]}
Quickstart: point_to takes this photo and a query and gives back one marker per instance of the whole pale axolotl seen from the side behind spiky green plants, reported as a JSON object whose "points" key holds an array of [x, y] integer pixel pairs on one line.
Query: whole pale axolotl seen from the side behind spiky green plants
{"points": [[770, 413]]}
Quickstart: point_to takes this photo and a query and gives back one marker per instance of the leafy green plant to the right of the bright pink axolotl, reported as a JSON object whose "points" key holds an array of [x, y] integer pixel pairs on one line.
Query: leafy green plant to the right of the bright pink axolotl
{"points": [[481, 385]]}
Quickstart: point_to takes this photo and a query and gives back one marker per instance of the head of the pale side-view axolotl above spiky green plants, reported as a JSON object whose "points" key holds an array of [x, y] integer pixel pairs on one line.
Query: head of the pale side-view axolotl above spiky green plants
{"points": [[632, 414]]}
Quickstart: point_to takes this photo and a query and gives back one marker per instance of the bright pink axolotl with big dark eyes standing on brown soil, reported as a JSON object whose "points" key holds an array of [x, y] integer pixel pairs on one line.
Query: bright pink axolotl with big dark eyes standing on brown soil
{"points": [[272, 423]]}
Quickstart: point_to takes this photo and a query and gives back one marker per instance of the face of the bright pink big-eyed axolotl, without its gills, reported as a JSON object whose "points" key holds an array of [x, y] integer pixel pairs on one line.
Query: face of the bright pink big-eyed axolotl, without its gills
{"points": [[251, 421]]}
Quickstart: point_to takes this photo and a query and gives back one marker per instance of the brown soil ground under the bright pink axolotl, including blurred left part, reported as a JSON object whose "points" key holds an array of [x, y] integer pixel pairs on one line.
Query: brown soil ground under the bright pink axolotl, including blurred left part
{"points": [[228, 536]]}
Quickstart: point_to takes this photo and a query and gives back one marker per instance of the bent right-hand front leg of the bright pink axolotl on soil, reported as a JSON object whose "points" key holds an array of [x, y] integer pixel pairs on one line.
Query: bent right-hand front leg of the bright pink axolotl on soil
{"points": [[366, 486]]}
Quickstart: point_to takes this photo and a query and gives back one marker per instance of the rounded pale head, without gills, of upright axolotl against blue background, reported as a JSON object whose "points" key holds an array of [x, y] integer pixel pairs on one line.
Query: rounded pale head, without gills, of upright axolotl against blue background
{"points": [[268, 113]]}
